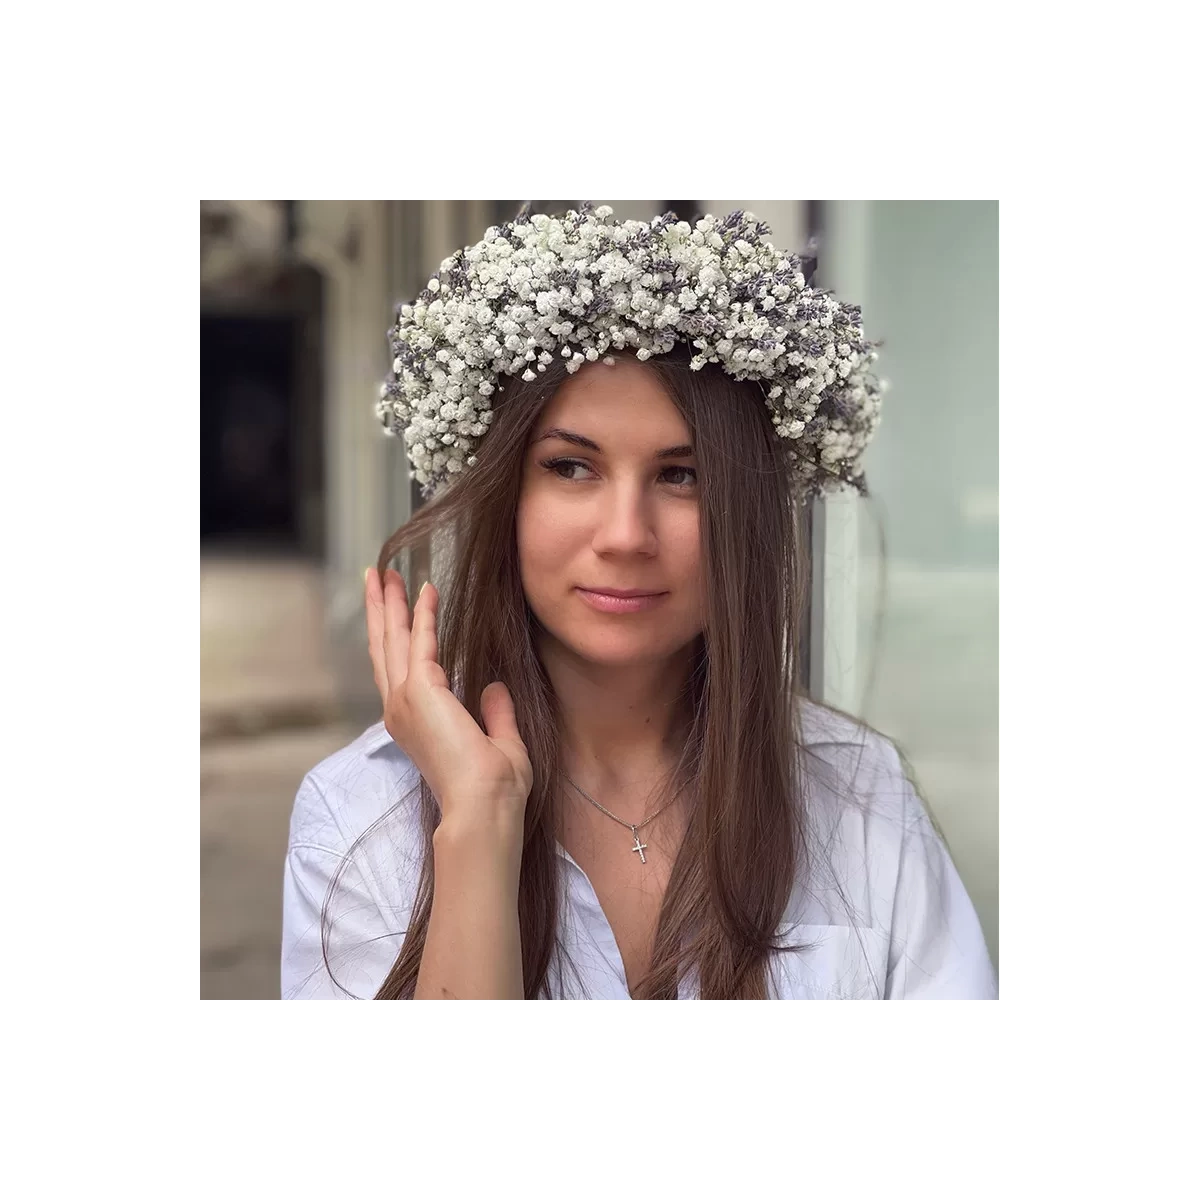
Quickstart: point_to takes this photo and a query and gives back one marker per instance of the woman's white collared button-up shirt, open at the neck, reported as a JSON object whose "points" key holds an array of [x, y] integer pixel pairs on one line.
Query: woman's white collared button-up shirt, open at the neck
{"points": [[883, 904]]}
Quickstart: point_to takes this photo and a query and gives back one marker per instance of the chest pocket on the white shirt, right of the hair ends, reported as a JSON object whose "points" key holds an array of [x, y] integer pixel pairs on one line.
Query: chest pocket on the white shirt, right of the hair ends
{"points": [[842, 963]]}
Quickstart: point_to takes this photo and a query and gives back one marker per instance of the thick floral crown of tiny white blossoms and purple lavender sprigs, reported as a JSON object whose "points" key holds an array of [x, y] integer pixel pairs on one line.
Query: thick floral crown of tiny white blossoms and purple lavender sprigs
{"points": [[584, 285]]}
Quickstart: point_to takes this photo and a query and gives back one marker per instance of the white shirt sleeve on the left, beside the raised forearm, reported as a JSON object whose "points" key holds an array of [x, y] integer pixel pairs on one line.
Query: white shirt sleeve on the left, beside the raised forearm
{"points": [[362, 941]]}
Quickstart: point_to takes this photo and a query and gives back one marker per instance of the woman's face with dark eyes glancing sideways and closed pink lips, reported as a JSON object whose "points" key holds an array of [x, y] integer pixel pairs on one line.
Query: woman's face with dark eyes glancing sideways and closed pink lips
{"points": [[613, 515]]}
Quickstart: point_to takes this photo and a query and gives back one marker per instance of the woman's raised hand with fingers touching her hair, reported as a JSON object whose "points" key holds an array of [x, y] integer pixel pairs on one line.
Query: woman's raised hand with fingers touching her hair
{"points": [[476, 776]]}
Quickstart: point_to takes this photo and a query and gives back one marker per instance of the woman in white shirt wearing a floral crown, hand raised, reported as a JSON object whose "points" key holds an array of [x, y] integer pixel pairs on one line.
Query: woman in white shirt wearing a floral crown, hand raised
{"points": [[580, 795]]}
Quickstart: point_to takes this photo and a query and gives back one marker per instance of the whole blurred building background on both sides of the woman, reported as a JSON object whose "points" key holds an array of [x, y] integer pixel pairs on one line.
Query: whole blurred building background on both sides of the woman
{"points": [[299, 489]]}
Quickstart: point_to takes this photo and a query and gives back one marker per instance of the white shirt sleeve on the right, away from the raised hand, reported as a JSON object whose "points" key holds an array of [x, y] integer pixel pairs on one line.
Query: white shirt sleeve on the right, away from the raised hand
{"points": [[938, 949]]}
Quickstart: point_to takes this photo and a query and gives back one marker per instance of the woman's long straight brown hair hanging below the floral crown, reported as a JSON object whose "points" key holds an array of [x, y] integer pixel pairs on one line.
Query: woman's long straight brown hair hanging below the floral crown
{"points": [[745, 843]]}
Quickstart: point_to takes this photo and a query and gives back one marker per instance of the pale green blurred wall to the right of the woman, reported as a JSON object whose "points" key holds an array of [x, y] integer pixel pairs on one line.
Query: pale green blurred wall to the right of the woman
{"points": [[931, 291]]}
